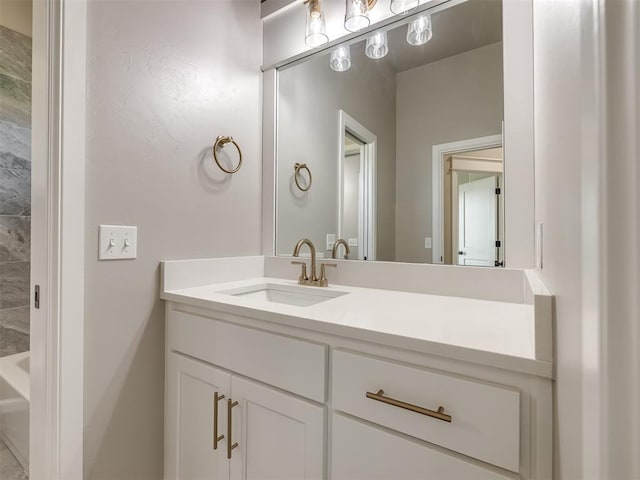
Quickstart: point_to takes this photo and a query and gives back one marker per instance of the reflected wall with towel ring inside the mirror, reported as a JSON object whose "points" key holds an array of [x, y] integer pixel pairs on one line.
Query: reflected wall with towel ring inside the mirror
{"points": [[311, 95]]}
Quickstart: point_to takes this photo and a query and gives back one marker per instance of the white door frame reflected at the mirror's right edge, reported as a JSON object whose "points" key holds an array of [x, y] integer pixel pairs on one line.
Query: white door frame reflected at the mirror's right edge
{"points": [[438, 154]]}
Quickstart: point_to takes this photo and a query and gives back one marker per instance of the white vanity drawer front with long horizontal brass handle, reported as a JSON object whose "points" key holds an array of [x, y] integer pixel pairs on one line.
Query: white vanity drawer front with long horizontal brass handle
{"points": [[485, 419]]}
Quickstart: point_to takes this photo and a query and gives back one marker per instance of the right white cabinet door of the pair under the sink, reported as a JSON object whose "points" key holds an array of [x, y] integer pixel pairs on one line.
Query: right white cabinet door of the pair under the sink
{"points": [[279, 436]]}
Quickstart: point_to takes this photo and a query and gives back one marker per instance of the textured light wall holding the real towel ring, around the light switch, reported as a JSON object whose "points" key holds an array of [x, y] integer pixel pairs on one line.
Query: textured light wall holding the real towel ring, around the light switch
{"points": [[164, 79]]}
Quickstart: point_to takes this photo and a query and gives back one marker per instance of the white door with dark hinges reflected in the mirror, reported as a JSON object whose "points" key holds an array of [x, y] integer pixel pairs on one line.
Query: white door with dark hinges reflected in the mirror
{"points": [[477, 222]]}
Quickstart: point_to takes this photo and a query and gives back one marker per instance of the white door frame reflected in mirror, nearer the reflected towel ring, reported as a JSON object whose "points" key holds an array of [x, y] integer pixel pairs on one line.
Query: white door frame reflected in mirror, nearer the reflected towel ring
{"points": [[366, 228]]}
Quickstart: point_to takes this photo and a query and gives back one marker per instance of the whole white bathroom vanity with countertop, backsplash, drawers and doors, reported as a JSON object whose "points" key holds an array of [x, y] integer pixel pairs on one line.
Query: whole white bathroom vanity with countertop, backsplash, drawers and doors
{"points": [[387, 373]]}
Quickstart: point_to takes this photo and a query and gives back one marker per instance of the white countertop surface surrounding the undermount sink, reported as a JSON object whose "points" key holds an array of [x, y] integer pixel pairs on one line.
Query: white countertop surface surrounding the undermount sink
{"points": [[495, 333]]}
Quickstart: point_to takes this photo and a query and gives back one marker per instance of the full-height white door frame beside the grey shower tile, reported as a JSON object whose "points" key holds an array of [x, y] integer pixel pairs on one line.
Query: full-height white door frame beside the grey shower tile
{"points": [[58, 232]]}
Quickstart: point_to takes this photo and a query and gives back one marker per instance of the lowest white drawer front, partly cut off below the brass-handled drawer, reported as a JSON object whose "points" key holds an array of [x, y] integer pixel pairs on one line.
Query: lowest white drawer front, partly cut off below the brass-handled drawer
{"points": [[360, 451]]}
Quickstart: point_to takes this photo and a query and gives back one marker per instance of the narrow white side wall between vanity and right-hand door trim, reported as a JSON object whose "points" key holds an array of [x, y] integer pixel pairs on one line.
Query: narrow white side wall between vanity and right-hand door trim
{"points": [[558, 108]]}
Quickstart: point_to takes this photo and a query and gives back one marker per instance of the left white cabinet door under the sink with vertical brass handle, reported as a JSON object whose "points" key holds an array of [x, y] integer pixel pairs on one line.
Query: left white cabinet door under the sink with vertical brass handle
{"points": [[189, 420]]}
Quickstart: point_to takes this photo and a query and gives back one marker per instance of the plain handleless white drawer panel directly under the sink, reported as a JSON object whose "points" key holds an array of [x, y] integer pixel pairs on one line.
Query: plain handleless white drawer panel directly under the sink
{"points": [[294, 365]]}
